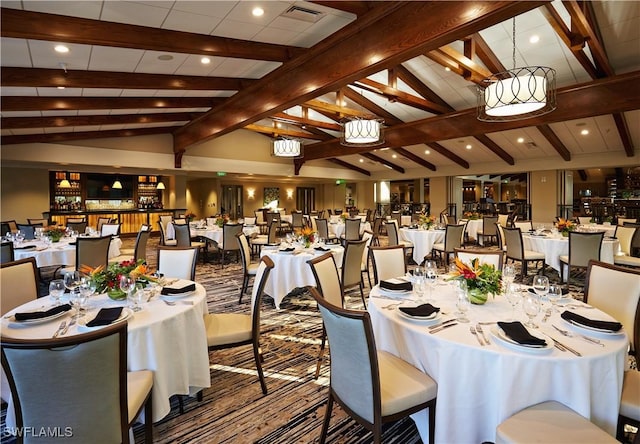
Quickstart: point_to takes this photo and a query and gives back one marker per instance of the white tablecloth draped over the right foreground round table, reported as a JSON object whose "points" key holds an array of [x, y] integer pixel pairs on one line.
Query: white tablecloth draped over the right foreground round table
{"points": [[479, 387]]}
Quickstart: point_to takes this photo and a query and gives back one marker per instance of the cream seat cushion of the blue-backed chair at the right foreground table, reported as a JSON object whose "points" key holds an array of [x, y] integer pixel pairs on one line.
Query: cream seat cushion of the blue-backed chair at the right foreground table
{"points": [[402, 386]]}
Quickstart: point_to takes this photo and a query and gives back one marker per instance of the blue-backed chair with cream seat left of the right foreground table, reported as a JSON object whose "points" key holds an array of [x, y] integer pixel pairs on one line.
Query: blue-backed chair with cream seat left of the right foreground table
{"points": [[373, 386]]}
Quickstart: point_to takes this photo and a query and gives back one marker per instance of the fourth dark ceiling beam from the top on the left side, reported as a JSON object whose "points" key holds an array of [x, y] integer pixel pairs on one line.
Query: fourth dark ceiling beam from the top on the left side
{"points": [[110, 119]]}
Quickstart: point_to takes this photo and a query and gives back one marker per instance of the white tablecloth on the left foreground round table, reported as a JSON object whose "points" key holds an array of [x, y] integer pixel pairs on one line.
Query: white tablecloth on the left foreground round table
{"points": [[169, 340]]}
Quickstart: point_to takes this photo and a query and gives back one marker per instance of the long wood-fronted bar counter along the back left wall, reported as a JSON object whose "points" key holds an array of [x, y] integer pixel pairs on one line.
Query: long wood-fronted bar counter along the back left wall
{"points": [[129, 220]]}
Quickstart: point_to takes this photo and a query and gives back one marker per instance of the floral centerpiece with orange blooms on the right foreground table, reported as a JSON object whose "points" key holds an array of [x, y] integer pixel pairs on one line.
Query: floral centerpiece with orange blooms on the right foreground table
{"points": [[481, 279]]}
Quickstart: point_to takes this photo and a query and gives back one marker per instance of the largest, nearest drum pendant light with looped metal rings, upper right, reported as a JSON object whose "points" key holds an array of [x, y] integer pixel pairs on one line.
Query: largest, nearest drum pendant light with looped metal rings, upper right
{"points": [[517, 94]]}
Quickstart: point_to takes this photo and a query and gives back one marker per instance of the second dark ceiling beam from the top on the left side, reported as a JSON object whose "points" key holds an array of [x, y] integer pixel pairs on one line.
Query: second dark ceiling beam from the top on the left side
{"points": [[41, 77]]}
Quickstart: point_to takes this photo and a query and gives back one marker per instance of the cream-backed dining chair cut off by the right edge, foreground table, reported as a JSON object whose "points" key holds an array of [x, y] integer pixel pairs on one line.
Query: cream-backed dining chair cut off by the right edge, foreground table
{"points": [[623, 304]]}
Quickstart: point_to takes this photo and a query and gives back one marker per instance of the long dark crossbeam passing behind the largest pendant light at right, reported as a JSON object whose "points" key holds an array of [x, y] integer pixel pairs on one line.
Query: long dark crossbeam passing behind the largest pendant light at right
{"points": [[595, 98]]}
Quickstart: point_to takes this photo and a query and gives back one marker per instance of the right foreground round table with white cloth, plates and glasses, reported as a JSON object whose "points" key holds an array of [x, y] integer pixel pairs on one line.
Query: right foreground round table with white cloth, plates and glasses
{"points": [[487, 356]]}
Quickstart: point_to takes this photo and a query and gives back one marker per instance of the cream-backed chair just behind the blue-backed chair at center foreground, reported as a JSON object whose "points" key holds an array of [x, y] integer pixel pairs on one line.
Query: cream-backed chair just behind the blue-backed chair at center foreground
{"points": [[326, 274]]}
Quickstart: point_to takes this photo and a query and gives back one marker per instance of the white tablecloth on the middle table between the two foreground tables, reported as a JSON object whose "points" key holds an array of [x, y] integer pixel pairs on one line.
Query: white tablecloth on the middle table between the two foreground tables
{"points": [[291, 270]]}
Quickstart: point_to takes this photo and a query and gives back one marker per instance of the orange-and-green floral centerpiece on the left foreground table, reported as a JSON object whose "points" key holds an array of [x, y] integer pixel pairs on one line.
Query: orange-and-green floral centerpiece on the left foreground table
{"points": [[108, 280]]}
